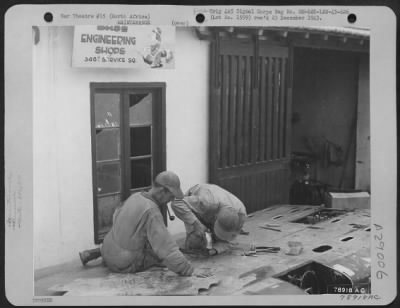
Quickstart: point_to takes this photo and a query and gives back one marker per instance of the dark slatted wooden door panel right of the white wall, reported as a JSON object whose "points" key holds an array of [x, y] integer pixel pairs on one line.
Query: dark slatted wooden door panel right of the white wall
{"points": [[250, 111]]}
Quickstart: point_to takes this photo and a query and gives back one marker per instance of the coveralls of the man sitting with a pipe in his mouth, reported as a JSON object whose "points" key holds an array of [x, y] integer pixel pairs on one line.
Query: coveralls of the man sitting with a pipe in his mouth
{"points": [[139, 239]]}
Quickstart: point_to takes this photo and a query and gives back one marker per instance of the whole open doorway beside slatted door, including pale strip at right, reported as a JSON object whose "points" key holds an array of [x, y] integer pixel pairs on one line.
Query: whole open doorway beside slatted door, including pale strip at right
{"points": [[330, 122]]}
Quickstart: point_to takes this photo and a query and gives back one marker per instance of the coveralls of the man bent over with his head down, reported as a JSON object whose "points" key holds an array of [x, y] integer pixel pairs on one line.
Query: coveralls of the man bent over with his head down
{"points": [[212, 198]]}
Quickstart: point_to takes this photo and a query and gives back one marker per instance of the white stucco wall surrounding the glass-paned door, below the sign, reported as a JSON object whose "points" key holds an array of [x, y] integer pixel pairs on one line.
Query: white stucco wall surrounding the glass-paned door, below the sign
{"points": [[63, 204]]}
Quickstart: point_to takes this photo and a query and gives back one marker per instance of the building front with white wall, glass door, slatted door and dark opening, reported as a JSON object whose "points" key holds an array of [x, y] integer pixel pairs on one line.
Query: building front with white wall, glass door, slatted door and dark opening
{"points": [[236, 106]]}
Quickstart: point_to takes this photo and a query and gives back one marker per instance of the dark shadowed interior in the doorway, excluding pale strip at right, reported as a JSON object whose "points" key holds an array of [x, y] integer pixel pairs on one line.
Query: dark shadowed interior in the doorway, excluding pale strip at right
{"points": [[324, 116]]}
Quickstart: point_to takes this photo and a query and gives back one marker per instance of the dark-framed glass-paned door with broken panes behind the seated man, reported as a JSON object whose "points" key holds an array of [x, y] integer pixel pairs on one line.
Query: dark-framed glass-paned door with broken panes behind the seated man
{"points": [[128, 144]]}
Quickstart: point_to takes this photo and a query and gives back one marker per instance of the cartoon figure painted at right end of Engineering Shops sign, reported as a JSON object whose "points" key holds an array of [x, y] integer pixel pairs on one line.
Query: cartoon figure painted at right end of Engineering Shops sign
{"points": [[155, 55]]}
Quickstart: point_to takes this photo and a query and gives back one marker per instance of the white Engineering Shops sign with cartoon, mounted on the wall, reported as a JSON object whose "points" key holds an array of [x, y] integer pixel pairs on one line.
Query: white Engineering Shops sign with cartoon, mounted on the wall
{"points": [[123, 46]]}
